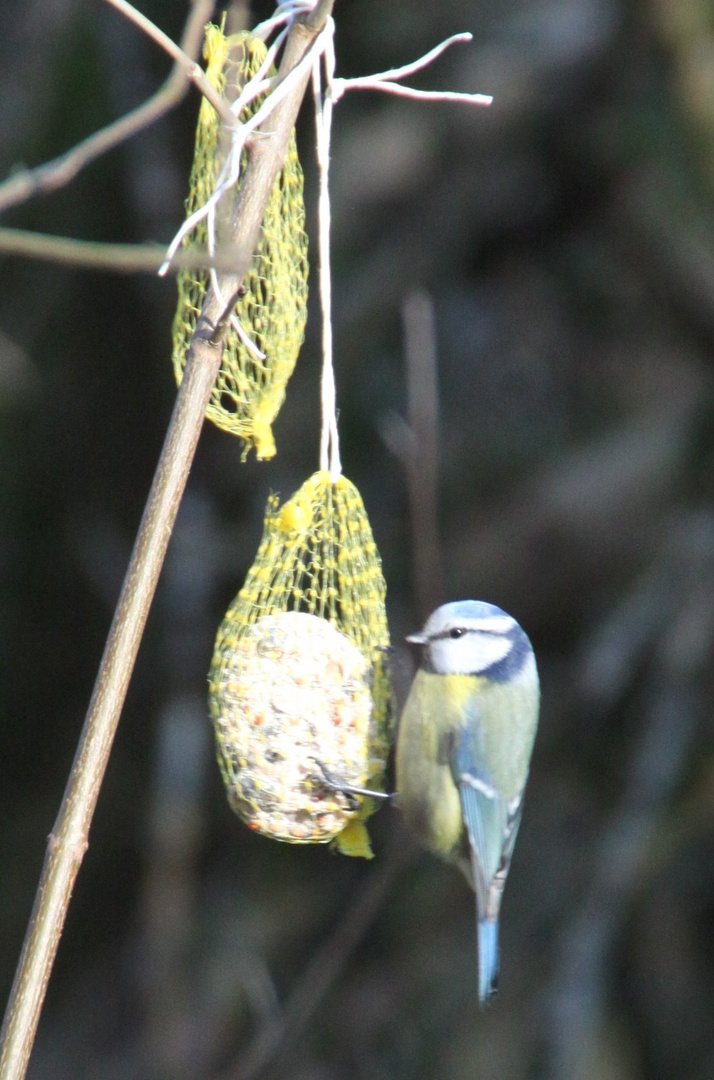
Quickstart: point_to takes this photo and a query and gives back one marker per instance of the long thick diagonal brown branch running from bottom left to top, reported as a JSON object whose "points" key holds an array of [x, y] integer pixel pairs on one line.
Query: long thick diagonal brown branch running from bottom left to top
{"points": [[69, 841]]}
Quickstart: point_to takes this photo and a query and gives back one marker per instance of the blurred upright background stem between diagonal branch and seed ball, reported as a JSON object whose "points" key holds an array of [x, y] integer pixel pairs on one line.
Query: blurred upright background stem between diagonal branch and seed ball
{"points": [[174, 1032]]}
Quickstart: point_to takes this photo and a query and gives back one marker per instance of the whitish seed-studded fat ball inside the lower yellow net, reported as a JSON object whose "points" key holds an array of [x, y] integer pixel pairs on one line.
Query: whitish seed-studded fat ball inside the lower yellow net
{"points": [[289, 692]]}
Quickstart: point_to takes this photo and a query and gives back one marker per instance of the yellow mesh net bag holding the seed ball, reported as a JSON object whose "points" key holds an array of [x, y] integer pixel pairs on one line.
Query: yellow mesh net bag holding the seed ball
{"points": [[300, 685]]}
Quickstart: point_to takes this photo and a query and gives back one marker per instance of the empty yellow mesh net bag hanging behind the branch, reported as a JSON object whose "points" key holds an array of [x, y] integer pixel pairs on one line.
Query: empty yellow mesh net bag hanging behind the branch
{"points": [[250, 390]]}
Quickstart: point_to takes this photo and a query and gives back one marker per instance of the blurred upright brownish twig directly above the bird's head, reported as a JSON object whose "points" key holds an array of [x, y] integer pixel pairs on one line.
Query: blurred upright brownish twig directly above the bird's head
{"points": [[416, 445]]}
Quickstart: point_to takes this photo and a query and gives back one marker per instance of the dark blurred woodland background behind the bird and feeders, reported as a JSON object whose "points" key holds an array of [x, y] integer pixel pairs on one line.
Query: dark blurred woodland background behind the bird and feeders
{"points": [[565, 237]]}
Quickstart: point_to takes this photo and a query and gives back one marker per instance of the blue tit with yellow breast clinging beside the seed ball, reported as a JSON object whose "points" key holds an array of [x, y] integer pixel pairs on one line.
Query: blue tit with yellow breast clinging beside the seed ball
{"points": [[464, 750]]}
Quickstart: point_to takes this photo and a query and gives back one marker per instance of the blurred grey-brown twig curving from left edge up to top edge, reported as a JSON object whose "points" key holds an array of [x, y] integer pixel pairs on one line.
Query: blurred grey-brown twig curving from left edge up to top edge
{"points": [[53, 174]]}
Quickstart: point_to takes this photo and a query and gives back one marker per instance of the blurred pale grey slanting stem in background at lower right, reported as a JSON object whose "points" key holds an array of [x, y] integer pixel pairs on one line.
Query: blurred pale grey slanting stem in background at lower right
{"points": [[578, 1012]]}
